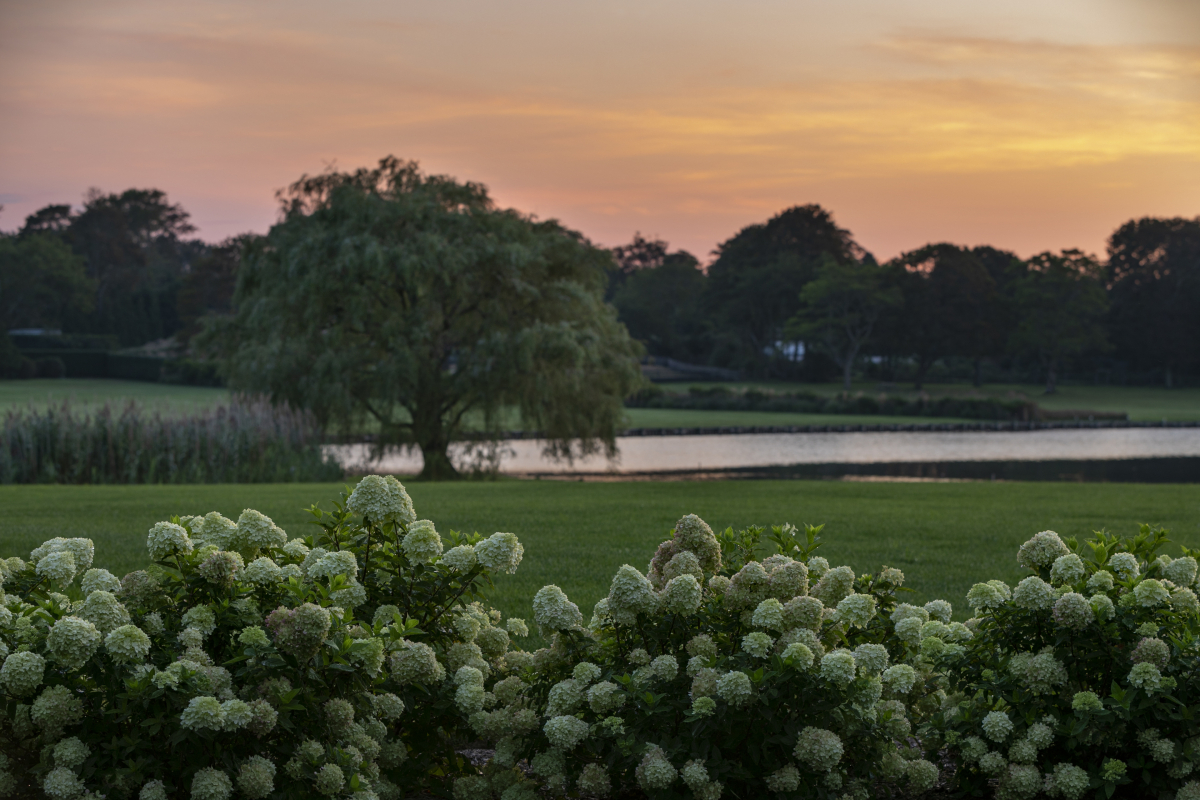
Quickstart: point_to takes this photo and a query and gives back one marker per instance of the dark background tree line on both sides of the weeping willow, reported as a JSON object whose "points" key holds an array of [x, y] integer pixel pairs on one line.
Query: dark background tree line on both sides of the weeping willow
{"points": [[795, 298]]}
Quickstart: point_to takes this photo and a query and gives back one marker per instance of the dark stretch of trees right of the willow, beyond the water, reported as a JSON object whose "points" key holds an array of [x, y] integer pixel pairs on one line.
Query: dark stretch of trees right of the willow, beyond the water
{"points": [[796, 298]]}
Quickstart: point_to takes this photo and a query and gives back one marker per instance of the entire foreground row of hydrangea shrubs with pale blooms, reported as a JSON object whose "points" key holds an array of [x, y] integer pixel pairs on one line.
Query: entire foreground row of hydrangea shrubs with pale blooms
{"points": [[359, 660]]}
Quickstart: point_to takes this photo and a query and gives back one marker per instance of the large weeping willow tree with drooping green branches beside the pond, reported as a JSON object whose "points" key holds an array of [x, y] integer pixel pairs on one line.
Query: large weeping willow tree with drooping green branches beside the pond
{"points": [[411, 300]]}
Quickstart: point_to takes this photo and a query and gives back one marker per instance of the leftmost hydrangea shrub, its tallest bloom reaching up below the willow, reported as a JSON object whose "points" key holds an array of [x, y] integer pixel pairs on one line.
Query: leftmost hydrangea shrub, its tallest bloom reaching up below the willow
{"points": [[248, 664]]}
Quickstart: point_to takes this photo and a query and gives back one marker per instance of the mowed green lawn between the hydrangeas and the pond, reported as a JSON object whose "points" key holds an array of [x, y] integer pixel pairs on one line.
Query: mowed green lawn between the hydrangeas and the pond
{"points": [[945, 537]]}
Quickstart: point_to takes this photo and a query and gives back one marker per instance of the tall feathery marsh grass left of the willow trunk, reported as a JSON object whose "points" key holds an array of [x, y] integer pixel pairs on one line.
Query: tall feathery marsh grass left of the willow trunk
{"points": [[247, 442]]}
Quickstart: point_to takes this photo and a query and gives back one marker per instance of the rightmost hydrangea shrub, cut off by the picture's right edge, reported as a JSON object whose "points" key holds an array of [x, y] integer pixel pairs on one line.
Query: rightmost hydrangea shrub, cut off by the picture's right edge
{"points": [[1083, 679]]}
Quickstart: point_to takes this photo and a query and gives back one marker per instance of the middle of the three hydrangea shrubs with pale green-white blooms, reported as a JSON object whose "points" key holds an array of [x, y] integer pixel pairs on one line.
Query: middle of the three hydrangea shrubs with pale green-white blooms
{"points": [[776, 678]]}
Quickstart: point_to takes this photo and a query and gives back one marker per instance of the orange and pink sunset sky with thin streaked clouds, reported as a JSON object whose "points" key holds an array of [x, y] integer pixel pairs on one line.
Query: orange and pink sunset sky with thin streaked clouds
{"points": [[1025, 124]]}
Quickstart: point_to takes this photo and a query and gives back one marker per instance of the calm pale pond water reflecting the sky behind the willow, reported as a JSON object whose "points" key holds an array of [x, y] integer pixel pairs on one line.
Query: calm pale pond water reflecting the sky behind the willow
{"points": [[655, 454]]}
